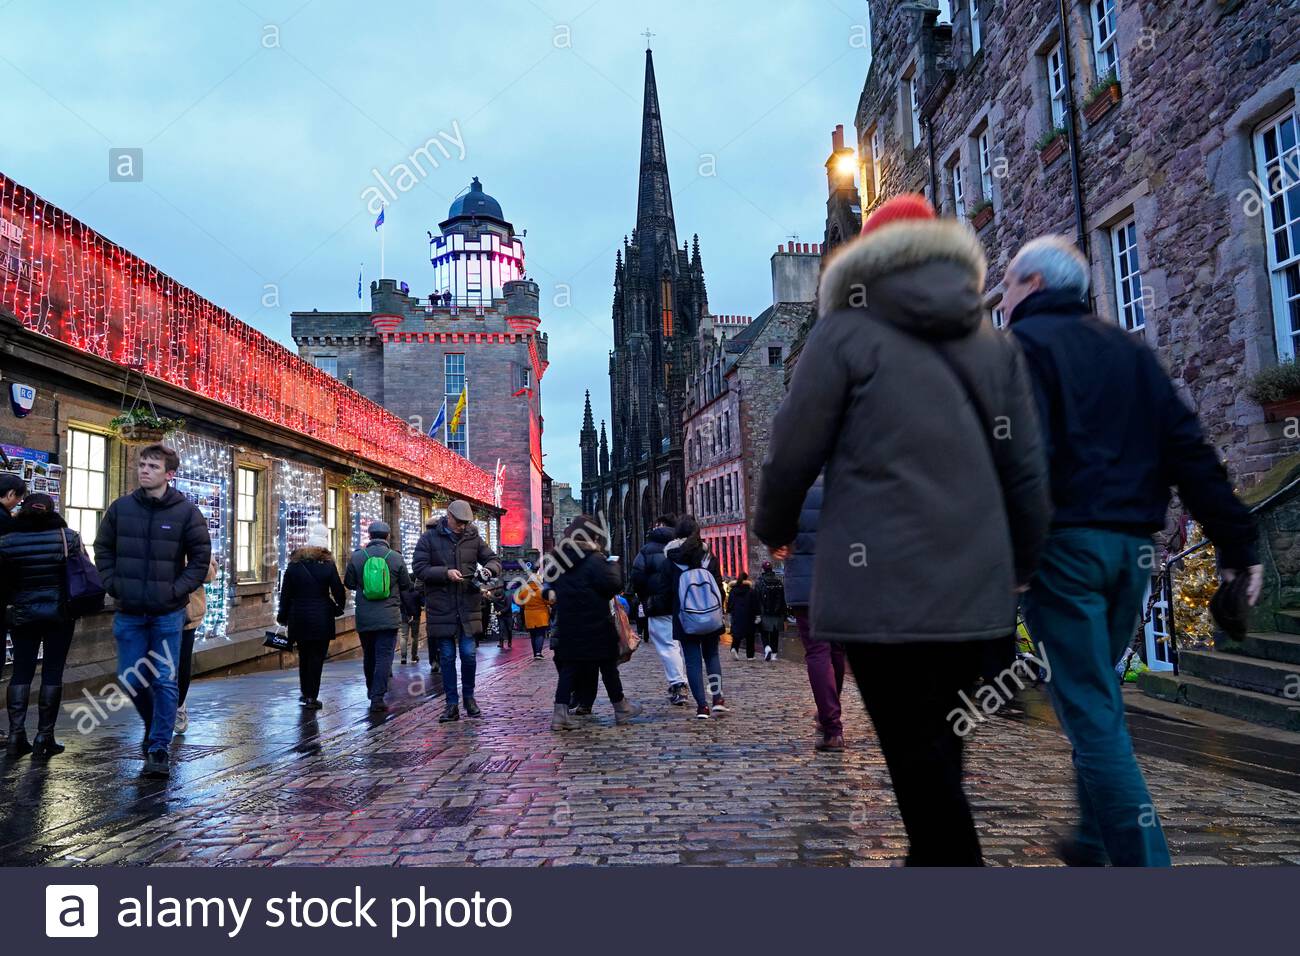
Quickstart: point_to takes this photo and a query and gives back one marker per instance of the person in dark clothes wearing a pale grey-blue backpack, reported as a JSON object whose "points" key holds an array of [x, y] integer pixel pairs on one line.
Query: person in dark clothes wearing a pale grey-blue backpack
{"points": [[697, 621]]}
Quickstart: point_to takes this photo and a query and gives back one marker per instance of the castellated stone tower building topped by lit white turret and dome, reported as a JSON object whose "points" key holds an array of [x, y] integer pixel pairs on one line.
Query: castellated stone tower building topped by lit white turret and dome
{"points": [[475, 335]]}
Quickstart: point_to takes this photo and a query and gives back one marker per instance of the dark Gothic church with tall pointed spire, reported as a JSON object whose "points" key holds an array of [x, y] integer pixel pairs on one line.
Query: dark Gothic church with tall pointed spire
{"points": [[660, 302]]}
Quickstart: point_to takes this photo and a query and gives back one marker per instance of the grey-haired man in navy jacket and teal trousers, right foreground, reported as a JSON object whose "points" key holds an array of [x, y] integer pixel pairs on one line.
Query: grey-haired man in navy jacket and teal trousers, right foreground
{"points": [[1117, 438]]}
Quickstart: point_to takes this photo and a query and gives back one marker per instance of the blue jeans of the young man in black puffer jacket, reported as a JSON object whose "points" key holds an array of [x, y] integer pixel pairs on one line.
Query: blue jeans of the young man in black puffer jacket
{"points": [[149, 656]]}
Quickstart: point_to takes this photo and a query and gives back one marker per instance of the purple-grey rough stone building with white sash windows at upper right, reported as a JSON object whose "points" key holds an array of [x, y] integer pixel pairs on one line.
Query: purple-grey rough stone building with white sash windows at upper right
{"points": [[1162, 136]]}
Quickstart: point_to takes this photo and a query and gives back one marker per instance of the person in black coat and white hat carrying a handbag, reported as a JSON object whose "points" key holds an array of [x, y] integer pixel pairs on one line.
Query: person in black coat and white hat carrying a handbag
{"points": [[311, 596]]}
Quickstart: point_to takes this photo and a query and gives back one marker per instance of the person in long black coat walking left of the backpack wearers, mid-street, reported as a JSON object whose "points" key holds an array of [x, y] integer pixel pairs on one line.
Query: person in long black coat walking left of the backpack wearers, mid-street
{"points": [[586, 638]]}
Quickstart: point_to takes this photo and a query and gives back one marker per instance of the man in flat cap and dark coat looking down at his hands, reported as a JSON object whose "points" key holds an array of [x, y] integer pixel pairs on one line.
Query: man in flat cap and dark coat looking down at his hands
{"points": [[448, 560]]}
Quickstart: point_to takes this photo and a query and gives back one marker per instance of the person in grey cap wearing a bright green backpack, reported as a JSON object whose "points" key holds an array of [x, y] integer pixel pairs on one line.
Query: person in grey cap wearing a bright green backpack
{"points": [[379, 576]]}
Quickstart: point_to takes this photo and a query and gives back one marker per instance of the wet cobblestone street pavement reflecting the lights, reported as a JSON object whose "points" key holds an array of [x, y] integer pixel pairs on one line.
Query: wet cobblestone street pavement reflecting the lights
{"points": [[505, 790]]}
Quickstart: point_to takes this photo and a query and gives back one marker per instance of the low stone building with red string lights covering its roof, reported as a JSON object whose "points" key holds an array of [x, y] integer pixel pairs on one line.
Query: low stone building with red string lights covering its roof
{"points": [[268, 444]]}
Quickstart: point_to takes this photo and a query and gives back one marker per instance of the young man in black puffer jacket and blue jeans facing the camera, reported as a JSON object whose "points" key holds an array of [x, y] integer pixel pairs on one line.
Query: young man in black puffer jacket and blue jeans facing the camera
{"points": [[153, 551]]}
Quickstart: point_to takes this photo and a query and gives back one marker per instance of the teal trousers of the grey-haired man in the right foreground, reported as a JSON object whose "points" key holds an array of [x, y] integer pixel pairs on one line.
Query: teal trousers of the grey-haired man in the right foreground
{"points": [[1082, 612]]}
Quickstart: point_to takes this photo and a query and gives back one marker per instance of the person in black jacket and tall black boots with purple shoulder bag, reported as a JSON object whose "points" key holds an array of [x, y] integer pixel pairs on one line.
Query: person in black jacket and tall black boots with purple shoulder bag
{"points": [[33, 563]]}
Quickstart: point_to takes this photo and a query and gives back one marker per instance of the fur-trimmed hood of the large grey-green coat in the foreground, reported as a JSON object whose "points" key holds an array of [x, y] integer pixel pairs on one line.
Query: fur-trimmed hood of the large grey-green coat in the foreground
{"points": [[926, 276]]}
